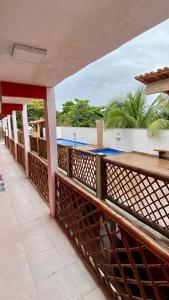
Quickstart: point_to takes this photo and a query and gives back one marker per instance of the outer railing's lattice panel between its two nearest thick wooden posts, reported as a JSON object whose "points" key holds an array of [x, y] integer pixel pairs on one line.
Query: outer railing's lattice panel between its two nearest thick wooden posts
{"points": [[84, 167]]}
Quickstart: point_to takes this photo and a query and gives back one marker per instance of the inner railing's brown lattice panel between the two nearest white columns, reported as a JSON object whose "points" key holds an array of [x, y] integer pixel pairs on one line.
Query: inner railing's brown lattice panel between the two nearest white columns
{"points": [[38, 173]]}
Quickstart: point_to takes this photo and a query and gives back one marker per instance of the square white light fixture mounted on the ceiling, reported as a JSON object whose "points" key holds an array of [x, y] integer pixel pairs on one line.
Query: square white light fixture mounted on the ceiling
{"points": [[28, 54]]}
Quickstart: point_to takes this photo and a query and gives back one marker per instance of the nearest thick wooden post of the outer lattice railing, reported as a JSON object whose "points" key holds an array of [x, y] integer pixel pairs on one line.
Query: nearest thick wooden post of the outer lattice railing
{"points": [[100, 177]]}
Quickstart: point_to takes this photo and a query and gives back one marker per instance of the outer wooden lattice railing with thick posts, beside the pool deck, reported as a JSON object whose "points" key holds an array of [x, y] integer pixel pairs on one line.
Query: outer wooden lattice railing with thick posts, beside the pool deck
{"points": [[142, 194]]}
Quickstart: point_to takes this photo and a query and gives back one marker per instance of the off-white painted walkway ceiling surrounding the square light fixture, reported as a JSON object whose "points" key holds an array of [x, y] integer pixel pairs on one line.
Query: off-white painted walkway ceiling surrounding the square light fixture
{"points": [[74, 32]]}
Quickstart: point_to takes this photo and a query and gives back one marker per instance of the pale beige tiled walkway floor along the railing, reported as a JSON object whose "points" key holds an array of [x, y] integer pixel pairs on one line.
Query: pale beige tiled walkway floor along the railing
{"points": [[36, 259]]}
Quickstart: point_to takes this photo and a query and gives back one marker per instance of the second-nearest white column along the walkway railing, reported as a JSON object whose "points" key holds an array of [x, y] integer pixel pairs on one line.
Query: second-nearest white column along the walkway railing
{"points": [[26, 137]]}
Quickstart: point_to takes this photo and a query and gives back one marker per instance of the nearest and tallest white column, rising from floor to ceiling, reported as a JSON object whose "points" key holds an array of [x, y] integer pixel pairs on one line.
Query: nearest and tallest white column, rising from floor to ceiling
{"points": [[50, 119]]}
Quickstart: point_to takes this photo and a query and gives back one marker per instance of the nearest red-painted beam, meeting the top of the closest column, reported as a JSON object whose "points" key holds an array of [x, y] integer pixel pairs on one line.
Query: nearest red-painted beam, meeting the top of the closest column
{"points": [[11, 89]]}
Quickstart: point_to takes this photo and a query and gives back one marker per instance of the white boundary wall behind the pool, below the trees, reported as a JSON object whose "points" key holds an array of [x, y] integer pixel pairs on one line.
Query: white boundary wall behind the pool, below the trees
{"points": [[122, 139]]}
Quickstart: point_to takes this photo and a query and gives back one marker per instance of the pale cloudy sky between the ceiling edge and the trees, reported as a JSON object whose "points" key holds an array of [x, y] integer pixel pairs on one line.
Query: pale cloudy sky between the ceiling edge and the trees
{"points": [[114, 73]]}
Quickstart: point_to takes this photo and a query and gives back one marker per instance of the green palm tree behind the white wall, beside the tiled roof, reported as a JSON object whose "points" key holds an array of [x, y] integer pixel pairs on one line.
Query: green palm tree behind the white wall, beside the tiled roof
{"points": [[133, 112]]}
